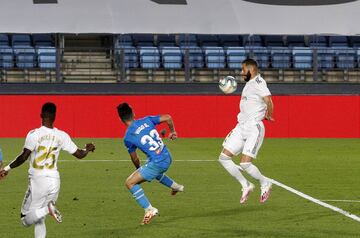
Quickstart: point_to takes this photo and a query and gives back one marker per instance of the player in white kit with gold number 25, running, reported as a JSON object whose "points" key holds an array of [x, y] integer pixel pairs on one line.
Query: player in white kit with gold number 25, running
{"points": [[43, 146]]}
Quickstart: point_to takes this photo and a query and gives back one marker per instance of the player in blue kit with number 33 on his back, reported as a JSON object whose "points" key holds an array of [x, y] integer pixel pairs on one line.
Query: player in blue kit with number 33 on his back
{"points": [[141, 134]]}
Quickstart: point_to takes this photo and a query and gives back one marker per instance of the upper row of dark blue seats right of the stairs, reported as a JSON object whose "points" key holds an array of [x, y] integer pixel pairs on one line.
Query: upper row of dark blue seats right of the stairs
{"points": [[139, 40]]}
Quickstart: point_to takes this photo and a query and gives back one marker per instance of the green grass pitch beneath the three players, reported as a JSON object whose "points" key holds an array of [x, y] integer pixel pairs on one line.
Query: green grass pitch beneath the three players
{"points": [[95, 203]]}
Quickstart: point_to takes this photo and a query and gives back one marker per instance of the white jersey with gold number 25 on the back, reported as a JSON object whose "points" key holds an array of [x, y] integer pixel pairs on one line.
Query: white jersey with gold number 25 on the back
{"points": [[45, 144]]}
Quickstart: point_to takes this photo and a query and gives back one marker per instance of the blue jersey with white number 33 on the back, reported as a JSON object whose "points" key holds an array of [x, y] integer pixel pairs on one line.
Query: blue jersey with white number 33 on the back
{"points": [[142, 134]]}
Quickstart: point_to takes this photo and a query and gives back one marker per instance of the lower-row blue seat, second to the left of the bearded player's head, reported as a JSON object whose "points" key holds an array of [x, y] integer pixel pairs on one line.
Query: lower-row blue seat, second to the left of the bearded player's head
{"points": [[214, 57]]}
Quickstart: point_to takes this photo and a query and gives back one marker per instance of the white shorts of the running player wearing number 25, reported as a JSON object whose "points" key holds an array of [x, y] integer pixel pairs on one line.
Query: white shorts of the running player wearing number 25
{"points": [[40, 192]]}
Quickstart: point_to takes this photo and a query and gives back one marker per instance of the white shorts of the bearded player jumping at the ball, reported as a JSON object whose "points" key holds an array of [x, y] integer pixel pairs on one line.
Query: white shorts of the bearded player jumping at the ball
{"points": [[245, 139]]}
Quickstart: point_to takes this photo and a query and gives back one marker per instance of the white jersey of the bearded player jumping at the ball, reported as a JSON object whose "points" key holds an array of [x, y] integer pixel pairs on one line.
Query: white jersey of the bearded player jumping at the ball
{"points": [[252, 105]]}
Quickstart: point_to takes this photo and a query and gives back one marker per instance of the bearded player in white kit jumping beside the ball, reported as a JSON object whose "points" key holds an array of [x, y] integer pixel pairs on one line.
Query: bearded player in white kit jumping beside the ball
{"points": [[247, 137]]}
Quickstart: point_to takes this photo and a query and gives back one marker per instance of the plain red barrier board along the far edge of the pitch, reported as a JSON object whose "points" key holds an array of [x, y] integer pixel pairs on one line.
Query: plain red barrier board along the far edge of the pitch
{"points": [[194, 116]]}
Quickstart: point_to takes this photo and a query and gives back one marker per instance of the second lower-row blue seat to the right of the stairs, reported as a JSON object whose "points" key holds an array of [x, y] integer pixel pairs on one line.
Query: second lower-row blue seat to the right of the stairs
{"points": [[149, 57]]}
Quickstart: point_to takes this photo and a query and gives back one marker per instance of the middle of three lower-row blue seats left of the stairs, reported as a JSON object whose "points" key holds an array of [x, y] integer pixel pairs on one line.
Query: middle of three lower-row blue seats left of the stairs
{"points": [[25, 56]]}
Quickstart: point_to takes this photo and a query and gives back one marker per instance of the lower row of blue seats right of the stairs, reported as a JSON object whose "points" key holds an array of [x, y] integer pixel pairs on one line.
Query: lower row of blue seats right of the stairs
{"points": [[213, 57]]}
